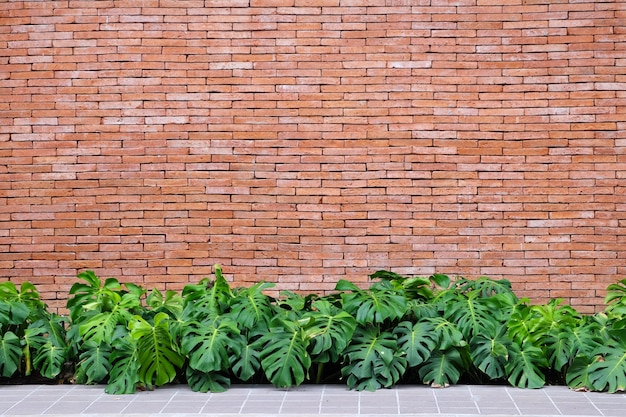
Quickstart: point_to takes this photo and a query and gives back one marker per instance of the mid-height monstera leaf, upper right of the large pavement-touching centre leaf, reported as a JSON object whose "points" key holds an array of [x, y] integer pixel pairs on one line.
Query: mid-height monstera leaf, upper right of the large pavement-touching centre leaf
{"points": [[417, 341]]}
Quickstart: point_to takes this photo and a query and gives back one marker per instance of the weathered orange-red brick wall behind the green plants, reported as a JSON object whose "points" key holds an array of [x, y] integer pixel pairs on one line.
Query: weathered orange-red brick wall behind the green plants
{"points": [[304, 141]]}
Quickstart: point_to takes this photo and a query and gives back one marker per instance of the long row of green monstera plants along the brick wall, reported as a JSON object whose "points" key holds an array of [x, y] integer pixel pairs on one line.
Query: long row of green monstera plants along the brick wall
{"points": [[401, 330]]}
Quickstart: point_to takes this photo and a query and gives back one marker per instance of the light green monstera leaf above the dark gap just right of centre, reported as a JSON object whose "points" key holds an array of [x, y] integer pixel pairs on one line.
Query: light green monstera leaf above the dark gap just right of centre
{"points": [[329, 330]]}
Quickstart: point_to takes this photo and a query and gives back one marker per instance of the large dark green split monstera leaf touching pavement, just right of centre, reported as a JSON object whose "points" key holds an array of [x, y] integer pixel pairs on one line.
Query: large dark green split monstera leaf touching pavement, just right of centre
{"points": [[373, 360]]}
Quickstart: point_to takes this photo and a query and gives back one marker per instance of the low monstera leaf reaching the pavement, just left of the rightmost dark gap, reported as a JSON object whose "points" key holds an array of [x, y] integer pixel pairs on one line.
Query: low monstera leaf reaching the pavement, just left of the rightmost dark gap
{"points": [[524, 366]]}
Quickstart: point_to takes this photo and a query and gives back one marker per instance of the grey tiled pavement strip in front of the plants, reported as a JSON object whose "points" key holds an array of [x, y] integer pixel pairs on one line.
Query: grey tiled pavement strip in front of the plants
{"points": [[308, 400]]}
